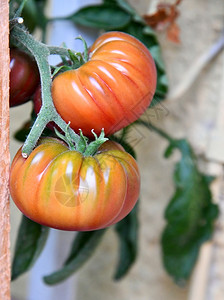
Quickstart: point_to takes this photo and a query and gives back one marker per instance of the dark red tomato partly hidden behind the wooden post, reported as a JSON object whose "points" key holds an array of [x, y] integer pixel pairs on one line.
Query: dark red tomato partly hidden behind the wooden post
{"points": [[24, 77]]}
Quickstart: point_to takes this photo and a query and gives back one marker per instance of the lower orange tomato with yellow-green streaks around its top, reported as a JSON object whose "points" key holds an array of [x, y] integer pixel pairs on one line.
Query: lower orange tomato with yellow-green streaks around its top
{"points": [[63, 189]]}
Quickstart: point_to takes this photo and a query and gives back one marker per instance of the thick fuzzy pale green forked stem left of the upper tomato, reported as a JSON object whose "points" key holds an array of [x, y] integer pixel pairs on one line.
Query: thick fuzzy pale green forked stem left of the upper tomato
{"points": [[48, 112]]}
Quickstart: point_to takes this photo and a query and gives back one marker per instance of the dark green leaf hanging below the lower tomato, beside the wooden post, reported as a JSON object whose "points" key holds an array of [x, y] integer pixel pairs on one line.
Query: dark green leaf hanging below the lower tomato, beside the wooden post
{"points": [[29, 245]]}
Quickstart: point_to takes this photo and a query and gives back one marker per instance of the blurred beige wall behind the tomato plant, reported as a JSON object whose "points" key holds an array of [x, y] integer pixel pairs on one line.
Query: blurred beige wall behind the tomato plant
{"points": [[194, 116]]}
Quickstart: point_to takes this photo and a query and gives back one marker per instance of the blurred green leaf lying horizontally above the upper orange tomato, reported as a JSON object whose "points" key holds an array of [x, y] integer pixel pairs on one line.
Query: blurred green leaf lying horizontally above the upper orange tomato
{"points": [[104, 16]]}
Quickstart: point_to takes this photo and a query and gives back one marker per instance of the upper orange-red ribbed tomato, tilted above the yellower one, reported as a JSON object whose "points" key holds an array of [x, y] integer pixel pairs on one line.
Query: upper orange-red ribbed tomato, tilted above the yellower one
{"points": [[111, 90]]}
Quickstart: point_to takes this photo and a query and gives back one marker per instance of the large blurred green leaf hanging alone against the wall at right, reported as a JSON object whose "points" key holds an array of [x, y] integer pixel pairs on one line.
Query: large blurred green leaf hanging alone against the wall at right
{"points": [[190, 215]]}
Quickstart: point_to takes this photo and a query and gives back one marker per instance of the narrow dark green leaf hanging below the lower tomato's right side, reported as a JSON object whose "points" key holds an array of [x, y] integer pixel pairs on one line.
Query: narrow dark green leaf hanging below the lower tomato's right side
{"points": [[127, 231]]}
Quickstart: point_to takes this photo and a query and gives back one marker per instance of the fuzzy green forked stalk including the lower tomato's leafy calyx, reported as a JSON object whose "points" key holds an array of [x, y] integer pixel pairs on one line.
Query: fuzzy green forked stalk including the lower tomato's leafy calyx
{"points": [[48, 112]]}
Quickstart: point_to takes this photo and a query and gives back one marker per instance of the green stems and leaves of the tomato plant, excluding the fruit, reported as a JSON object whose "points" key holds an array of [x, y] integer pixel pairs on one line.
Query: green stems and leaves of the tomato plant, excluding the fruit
{"points": [[182, 237]]}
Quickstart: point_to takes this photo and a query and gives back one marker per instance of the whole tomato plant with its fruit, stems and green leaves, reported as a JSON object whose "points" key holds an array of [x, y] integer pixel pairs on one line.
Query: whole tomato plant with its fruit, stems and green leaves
{"points": [[109, 86]]}
